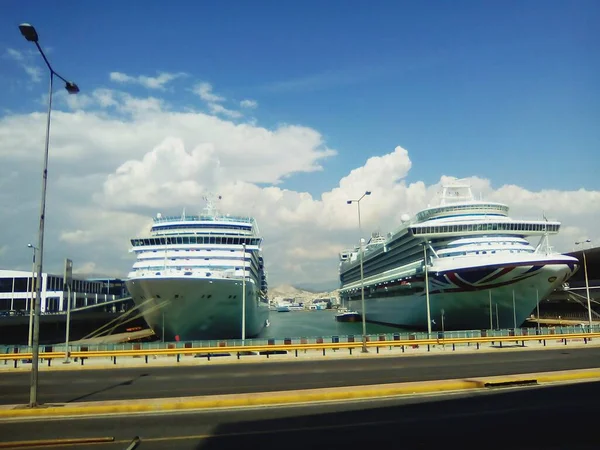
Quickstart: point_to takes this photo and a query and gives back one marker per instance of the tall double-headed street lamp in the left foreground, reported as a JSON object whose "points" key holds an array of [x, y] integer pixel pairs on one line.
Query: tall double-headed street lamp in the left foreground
{"points": [[28, 31]]}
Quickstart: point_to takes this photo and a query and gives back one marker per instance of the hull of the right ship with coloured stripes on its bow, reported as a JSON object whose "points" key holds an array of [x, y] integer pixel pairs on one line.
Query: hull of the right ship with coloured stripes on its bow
{"points": [[466, 304]]}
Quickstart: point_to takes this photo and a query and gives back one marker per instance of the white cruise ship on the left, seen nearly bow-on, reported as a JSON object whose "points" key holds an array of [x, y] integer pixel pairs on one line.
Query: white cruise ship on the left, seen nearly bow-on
{"points": [[193, 275]]}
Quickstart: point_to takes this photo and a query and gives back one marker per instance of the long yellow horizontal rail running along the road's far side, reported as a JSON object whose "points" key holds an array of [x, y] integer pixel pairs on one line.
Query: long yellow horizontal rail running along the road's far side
{"points": [[297, 347]]}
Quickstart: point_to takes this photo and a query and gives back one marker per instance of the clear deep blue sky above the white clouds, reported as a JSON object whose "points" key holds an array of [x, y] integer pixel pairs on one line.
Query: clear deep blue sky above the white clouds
{"points": [[506, 91]]}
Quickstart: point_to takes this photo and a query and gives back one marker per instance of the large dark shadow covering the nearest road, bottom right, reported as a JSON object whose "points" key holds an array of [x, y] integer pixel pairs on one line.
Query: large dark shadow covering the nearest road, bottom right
{"points": [[549, 418]]}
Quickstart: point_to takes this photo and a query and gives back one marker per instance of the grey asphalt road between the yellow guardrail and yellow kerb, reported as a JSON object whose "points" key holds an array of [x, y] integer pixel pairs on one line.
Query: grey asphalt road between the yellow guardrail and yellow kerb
{"points": [[164, 382]]}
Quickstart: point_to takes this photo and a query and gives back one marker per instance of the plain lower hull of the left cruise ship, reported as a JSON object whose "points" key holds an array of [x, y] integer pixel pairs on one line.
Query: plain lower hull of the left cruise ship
{"points": [[199, 308]]}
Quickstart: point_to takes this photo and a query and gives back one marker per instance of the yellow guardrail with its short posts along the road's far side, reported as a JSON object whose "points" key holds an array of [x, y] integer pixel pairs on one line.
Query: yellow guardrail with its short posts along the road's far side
{"points": [[288, 346]]}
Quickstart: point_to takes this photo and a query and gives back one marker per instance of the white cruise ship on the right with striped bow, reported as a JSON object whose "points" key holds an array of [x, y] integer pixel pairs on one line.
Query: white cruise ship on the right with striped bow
{"points": [[481, 270]]}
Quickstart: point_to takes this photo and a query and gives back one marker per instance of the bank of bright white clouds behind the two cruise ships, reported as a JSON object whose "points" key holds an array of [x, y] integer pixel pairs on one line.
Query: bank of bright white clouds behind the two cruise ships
{"points": [[117, 160]]}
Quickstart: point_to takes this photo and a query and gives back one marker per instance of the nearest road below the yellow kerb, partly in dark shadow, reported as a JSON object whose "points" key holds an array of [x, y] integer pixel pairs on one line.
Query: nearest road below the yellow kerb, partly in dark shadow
{"points": [[545, 417]]}
